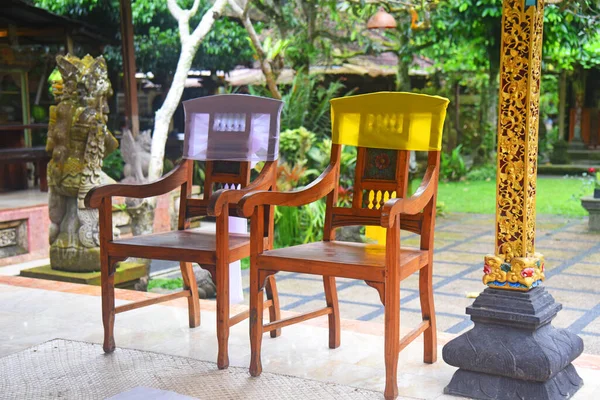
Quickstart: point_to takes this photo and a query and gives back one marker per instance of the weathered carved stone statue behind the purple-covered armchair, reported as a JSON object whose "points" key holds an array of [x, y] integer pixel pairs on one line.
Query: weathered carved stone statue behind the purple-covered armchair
{"points": [[78, 140]]}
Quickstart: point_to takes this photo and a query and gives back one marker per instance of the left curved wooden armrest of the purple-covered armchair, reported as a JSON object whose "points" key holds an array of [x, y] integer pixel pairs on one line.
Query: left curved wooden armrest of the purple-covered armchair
{"points": [[170, 181]]}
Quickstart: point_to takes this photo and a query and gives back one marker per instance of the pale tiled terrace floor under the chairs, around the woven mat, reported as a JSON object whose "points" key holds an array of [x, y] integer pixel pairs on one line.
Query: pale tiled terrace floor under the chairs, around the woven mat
{"points": [[35, 311]]}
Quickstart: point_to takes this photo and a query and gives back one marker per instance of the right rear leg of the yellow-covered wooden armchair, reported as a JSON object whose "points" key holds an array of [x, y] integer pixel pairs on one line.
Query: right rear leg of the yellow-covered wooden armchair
{"points": [[428, 313]]}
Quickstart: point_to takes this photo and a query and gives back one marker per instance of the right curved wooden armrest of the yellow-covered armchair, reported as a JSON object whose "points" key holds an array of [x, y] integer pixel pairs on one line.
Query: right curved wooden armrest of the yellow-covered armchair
{"points": [[412, 205]]}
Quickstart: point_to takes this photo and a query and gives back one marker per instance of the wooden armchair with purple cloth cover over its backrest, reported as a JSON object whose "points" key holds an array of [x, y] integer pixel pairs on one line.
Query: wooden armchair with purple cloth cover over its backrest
{"points": [[229, 132]]}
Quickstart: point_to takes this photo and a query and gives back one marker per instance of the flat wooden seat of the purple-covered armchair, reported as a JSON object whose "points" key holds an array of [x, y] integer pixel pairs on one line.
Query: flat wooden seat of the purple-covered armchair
{"points": [[189, 245]]}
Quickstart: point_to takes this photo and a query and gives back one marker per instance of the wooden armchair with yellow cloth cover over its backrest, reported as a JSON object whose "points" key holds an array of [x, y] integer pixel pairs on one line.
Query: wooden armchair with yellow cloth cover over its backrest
{"points": [[384, 127]]}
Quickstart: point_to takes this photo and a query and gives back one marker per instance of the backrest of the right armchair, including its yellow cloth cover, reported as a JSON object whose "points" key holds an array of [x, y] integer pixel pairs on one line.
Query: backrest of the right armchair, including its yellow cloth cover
{"points": [[384, 127]]}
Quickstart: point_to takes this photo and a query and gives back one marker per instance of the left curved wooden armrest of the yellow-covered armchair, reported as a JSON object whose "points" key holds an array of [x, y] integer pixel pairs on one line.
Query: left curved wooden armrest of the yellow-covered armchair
{"points": [[317, 189]]}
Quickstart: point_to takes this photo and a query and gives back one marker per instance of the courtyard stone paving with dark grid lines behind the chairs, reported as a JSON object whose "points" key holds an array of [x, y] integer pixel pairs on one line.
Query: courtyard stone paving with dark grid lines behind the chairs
{"points": [[461, 241]]}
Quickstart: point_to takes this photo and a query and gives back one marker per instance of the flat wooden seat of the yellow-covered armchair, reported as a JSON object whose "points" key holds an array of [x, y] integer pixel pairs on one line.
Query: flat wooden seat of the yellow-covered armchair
{"points": [[342, 259]]}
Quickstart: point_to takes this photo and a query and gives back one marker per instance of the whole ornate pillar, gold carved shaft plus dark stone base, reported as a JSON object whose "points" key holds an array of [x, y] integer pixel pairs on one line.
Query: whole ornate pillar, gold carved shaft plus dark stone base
{"points": [[513, 351]]}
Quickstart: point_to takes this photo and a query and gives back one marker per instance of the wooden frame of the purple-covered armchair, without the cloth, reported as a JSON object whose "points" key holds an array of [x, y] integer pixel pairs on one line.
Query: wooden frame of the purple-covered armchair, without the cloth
{"points": [[220, 204]]}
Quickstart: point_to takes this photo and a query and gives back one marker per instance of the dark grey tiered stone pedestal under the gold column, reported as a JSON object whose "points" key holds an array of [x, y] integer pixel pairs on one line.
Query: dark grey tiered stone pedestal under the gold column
{"points": [[513, 352]]}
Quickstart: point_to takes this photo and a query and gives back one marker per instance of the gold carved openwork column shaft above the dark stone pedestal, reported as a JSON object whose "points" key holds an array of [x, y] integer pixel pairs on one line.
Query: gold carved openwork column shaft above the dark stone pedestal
{"points": [[515, 264]]}
